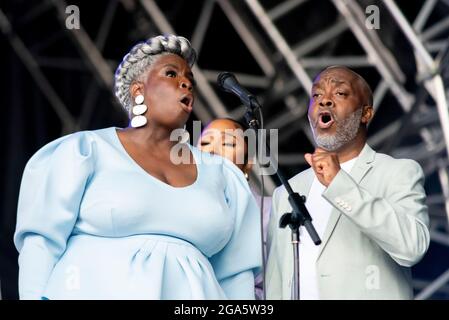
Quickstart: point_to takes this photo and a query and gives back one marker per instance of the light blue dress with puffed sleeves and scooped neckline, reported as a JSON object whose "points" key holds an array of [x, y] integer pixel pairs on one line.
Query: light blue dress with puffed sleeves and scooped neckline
{"points": [[92, 224]]}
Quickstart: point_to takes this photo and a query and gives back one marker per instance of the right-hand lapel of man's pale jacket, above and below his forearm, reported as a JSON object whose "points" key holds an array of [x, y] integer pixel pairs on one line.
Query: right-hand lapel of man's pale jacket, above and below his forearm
{"points": [[358, 171]]}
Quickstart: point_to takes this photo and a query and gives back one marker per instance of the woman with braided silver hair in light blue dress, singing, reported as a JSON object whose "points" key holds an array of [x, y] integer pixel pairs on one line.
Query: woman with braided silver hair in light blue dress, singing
{"points": [[114, 214]]}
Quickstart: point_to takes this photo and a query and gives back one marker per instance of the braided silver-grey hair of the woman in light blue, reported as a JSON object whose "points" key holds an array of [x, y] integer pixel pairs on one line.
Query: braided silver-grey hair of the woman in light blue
{"points": [[141, 57]]}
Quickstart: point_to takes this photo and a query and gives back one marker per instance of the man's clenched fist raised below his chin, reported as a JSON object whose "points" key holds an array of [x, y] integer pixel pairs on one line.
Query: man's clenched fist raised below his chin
{"points": [[325, 164]]}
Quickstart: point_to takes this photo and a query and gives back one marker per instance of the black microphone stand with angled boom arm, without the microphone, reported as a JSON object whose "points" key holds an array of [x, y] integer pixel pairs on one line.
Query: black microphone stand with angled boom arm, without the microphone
{"points": [[299, 215]]}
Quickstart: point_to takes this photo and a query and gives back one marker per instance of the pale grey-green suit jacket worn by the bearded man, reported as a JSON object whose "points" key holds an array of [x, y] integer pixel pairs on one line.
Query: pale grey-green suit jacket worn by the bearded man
{"points": [[378, 228]]}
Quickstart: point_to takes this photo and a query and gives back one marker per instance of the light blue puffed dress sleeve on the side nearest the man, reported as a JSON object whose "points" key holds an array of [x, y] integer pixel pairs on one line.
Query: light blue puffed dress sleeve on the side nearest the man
{"points": [[241, 258]]}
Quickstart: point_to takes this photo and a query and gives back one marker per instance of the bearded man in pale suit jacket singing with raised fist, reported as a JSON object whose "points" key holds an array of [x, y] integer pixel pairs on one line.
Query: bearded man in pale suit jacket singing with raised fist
{"points": [[368, 208]]}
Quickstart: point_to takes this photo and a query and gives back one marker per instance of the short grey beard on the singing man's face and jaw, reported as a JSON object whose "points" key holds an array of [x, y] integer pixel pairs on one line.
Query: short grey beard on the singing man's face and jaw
{"points": [[346, 131]]}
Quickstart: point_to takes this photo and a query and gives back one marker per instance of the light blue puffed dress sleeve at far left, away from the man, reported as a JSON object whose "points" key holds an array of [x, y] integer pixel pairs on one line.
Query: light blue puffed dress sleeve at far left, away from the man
{"points": [[52, 186]]}
